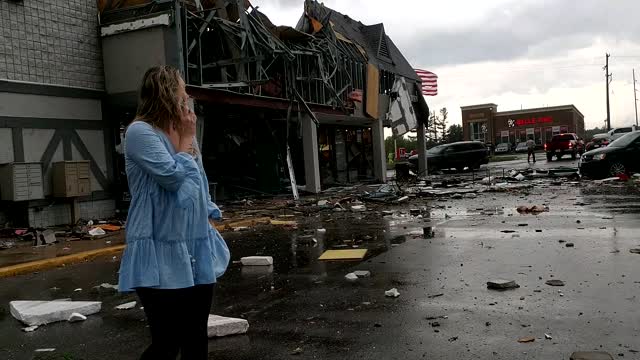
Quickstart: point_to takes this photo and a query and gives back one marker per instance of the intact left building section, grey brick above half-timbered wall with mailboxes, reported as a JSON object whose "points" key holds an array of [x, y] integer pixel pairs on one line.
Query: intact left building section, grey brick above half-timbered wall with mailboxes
{"points": [[51, 90]]}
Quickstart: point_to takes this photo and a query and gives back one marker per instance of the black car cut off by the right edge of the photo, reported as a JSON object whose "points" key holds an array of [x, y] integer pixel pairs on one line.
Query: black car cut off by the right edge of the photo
{"points": [[620, 157]]}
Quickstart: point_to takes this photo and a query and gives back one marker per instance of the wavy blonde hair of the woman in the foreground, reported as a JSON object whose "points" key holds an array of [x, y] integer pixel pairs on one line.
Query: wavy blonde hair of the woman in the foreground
{"points": [[158, 104]]}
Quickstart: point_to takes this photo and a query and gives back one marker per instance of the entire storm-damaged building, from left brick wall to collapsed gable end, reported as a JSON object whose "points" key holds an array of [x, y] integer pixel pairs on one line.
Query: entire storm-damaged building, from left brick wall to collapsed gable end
{"points": [[276, 105]]}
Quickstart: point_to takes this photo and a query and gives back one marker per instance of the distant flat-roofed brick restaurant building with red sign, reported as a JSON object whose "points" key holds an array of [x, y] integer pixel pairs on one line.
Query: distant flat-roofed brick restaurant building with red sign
{"points": [[484, 123]]}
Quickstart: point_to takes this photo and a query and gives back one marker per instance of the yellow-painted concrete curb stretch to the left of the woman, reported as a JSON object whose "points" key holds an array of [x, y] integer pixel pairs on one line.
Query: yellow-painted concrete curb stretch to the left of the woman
{"points": [[45, 264]]}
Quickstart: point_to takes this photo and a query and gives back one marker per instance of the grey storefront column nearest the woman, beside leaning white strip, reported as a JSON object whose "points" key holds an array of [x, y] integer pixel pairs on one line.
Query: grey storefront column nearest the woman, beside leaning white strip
{"points": [[311, 157]]}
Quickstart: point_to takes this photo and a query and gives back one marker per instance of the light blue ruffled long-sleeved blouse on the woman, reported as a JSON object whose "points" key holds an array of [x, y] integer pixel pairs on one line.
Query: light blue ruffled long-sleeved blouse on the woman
{"points": [[170, 243]]}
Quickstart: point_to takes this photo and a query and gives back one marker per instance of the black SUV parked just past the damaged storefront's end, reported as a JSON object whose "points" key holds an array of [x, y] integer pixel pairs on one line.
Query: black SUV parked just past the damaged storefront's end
{"points": [[471, 154]]}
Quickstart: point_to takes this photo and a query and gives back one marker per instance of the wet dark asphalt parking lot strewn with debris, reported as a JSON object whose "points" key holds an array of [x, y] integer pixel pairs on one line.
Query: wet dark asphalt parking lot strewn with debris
{"points": [[307, 305]]}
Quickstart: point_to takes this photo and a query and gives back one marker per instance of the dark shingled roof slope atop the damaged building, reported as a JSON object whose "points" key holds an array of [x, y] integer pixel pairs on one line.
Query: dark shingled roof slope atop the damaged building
{"points": [[380, 49]]}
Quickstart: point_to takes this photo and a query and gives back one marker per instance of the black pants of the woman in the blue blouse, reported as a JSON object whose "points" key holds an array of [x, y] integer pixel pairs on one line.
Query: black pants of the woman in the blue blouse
{"points": [[178, 322]]}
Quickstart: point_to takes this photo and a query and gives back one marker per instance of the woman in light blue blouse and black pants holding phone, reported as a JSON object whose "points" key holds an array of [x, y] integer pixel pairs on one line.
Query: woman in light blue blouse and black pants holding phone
{"points": [[173, 255]]}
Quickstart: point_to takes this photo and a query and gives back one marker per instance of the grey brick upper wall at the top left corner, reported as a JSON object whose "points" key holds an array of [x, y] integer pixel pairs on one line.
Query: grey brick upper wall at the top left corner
{"points": [[51, 42]]}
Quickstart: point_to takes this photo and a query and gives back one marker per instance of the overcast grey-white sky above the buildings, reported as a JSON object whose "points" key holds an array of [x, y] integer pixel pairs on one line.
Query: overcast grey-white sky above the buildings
{"points": [[515, 53]]}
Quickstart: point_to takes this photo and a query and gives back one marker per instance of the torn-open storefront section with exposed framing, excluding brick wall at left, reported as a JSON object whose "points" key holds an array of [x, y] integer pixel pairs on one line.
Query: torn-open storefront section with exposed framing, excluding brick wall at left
{"points": [[313, 99]]}
